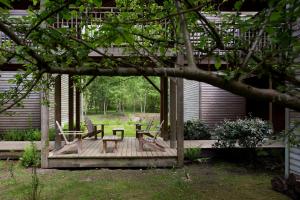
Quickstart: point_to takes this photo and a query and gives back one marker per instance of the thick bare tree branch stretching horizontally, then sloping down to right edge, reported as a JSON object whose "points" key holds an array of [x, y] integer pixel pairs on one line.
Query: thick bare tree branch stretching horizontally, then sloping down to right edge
{"points": [[233, 86]]}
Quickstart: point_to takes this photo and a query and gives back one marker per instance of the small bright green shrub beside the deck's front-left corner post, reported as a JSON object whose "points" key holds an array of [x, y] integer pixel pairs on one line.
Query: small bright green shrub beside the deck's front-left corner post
{"points": [[31, 156]]}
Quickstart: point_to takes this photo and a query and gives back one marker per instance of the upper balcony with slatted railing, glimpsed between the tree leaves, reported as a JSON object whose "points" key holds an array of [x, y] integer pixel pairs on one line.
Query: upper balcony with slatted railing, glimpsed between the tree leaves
{"points": [[88, 22]]}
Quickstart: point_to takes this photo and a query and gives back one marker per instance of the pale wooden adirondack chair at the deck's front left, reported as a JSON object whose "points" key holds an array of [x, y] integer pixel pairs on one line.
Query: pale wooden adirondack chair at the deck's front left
{"points": [[77, 141]]}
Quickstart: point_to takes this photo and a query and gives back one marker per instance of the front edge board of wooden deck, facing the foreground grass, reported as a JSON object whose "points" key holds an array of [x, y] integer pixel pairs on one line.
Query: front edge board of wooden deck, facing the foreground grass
{"points": [[112, 163]]}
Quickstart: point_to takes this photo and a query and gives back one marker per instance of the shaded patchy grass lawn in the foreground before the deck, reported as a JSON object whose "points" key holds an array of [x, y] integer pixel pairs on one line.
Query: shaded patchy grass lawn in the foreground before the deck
{"points": [[207, 181]]}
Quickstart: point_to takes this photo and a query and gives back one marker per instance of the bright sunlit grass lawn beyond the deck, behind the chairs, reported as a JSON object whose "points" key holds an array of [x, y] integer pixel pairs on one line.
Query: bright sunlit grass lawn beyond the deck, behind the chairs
{"points": [[115, 120]]}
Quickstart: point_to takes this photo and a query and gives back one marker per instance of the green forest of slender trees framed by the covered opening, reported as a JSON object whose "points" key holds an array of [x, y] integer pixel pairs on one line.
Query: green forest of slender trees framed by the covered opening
{"points": [[122, 94]]}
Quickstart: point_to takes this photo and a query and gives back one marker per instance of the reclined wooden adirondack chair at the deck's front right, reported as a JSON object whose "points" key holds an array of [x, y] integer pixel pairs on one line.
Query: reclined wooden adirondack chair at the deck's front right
{"points": [[151, 140]]}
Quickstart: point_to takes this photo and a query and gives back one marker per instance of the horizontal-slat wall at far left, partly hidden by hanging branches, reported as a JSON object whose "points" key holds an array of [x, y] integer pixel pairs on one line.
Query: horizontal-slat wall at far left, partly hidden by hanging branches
{"points": [[20, 117]]}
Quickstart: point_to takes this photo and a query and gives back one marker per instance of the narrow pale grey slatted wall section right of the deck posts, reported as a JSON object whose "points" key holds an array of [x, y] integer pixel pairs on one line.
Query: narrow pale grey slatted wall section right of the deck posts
{"points": [[191, 99]]}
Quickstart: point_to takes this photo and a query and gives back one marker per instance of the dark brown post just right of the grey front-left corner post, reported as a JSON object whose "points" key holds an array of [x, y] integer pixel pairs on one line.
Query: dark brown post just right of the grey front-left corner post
{"points": [[57, 110]]}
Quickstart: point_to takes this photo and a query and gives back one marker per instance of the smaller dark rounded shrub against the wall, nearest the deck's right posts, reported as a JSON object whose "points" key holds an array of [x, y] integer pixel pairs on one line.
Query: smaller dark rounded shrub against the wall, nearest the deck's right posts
{"points": [[196, 130]]}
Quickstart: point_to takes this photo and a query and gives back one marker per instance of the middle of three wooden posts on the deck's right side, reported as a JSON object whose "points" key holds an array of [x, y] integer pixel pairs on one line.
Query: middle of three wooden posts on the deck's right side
{"points": [[172, 112]]}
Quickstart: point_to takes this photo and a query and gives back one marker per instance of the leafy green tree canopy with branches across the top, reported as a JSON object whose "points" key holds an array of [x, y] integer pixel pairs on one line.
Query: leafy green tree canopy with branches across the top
{"points": [[145, 37]]}
